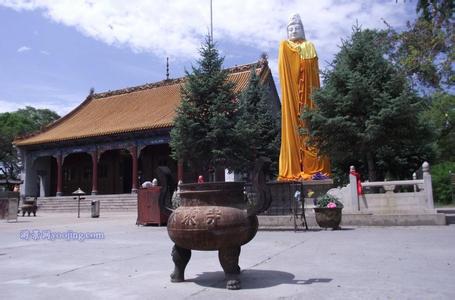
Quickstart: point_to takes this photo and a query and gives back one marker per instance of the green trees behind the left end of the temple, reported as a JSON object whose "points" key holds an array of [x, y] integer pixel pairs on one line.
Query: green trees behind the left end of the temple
{"points": [[14, 124]]}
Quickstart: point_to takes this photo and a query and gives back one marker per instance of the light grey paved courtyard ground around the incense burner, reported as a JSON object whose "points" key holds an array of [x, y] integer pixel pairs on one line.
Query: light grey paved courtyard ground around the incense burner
{"points": [[134, 262]]}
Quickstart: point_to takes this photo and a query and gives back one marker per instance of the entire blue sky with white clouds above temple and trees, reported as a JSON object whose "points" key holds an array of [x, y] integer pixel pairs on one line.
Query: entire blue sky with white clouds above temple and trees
{"points": [[53, 51]]}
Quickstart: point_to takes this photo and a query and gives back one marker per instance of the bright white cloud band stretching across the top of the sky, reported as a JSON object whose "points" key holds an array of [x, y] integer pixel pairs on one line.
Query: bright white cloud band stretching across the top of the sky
{"points": [[175, 28]]}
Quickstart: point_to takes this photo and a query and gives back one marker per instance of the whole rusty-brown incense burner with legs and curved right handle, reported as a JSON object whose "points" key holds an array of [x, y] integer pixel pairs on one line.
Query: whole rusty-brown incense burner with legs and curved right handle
{"points": [[216, 217]]}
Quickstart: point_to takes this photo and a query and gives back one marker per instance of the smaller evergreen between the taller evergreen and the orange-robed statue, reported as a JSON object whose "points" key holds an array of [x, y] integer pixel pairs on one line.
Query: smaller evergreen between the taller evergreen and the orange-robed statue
{"points": [[257, 130]]}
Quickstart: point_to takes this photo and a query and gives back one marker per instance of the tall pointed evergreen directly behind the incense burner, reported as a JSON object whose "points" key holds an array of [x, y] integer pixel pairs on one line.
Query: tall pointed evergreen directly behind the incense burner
{"points": [[203, 133]]}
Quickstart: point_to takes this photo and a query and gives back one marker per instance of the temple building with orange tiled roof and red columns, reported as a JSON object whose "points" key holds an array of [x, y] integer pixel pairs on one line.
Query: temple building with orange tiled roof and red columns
{"points": [[114, 141]]}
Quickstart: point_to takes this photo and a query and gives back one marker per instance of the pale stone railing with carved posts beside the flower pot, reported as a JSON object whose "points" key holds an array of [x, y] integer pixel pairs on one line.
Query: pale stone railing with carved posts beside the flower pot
{"points": [[418, 200]]}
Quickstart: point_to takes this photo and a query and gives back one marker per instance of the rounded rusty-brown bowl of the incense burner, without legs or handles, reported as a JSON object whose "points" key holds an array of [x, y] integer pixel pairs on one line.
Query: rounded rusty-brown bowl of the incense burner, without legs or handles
{"points": [[212, 216]]}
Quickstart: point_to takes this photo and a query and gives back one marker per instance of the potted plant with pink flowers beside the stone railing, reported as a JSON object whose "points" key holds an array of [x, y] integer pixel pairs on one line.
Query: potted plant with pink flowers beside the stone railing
{"points": [[328, 211]]}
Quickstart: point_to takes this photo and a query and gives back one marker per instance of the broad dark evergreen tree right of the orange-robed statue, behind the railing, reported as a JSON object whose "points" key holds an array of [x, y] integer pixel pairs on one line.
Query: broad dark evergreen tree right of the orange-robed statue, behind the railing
{"points": [[367, 114]]}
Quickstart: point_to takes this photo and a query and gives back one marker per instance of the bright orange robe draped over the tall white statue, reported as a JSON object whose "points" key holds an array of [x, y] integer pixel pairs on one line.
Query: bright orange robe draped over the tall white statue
{"points": [[299, 76]]}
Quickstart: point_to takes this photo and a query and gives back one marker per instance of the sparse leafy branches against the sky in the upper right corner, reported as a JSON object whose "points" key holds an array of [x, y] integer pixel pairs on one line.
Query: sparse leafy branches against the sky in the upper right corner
{"points": [[426, 50]]}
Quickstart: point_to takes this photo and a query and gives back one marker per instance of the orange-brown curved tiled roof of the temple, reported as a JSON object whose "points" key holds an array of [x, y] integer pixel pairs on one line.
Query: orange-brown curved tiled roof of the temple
{"points": [[132, 109]]}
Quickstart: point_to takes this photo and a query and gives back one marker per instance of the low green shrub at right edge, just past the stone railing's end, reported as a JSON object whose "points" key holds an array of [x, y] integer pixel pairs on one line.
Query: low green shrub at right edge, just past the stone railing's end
{"points": [[440, 175]]}
